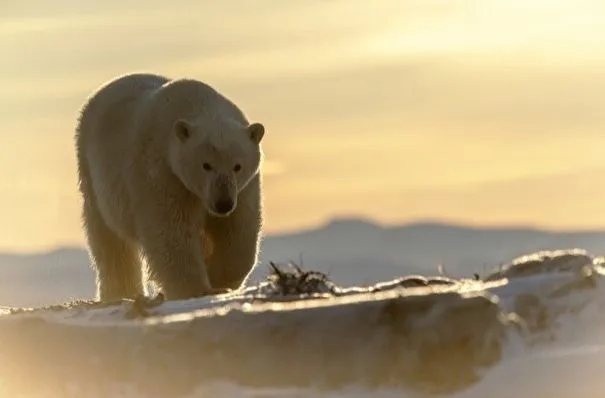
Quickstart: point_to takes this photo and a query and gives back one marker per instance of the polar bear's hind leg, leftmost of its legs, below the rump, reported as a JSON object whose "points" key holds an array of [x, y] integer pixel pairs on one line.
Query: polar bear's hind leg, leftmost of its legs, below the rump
{"points": [[117, 261]]}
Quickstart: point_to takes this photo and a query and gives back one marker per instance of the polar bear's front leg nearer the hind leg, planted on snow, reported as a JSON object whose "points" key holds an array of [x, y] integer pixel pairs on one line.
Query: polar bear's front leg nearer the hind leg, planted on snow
{"points": [[174, 255]]}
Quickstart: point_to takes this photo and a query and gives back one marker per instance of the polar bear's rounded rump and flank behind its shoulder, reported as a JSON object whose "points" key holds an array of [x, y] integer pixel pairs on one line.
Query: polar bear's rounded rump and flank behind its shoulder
{"points": [[105, 141]]}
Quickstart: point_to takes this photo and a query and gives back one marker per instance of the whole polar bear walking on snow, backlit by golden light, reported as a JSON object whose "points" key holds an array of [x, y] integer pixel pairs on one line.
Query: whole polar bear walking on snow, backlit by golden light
{"points": [[169, 171]]}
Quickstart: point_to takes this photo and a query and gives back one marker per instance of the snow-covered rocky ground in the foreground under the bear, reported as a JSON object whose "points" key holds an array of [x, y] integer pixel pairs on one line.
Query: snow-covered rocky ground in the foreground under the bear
{"points": [[298, 331]]}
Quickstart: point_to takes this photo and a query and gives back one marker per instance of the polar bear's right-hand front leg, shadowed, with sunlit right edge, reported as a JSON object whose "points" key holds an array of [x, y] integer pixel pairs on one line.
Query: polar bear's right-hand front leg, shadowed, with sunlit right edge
{"points": [[234, 251]]}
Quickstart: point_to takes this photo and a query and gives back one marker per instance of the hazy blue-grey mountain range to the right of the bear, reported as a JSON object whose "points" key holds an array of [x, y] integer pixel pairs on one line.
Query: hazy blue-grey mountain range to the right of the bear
{"points": [[358, 251]]}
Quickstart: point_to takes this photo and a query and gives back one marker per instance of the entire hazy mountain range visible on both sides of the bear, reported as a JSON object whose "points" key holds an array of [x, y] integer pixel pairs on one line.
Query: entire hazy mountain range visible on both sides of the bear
{"points": [[352, 251]]}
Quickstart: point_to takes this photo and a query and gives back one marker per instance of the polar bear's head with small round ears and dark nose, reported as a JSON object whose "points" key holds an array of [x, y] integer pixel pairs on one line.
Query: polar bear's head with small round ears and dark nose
{"points": [[216, 159]]}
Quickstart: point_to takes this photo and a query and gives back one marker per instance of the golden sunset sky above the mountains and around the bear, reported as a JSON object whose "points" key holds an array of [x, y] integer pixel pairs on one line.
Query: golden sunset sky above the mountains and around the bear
{"points": [[483, 112]]}
